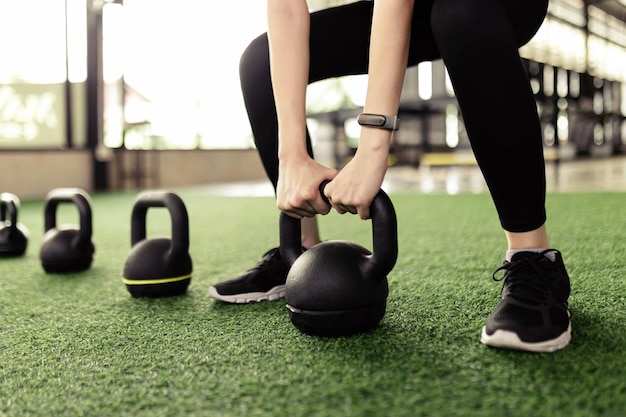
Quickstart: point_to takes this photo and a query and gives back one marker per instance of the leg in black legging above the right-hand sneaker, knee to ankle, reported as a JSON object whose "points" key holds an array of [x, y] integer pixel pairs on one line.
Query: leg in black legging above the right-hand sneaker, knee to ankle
{"points": [[479, 42]]}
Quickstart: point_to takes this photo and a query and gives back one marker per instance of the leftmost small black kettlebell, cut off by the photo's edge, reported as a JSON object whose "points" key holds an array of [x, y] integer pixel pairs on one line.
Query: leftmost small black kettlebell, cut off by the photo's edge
{"points": [[13, 235]]}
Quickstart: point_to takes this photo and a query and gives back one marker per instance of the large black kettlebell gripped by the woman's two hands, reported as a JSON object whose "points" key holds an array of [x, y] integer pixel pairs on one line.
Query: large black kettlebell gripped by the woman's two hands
{"points": [[339, 288]]}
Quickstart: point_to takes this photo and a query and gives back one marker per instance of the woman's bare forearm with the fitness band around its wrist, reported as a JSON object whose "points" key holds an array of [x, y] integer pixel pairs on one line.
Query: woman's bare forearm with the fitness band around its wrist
{"points": [[391, 30]]}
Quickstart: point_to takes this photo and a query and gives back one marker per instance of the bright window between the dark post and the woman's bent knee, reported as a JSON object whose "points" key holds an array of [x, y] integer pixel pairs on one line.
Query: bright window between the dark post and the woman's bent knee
{"points": [[180, 66]]}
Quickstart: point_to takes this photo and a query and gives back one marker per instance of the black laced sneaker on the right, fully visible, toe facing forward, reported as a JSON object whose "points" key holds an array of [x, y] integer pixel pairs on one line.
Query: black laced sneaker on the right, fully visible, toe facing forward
{"points": [[533, 314]]}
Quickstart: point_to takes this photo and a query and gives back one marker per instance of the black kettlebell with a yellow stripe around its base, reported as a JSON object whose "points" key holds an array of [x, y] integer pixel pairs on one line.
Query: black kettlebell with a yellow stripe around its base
{"points": [[158, 267]]}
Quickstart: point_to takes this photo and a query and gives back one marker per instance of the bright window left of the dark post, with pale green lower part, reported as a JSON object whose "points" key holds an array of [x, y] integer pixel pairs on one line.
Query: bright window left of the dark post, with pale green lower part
{"points": [[34, 68]]}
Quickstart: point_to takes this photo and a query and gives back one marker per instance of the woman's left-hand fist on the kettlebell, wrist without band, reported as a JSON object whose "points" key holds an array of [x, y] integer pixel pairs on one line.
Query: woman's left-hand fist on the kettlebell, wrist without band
{"points": [[298, 193]]}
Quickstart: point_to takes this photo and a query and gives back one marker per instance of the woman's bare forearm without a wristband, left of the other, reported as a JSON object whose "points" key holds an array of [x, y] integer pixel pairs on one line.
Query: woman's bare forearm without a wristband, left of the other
{"points": [[288, 33]]}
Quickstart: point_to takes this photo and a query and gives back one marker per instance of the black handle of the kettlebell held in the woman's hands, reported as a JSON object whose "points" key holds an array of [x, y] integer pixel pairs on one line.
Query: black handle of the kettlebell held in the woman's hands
{"points": [[384, 235]]}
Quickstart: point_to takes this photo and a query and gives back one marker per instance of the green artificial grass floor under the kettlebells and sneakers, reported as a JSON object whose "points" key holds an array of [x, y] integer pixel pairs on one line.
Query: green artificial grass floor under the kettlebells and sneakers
{"points": [[79, 345]]}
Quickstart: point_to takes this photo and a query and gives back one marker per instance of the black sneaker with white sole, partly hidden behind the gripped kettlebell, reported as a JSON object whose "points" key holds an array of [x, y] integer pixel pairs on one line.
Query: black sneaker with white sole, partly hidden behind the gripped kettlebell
{"points": [[264, 281]]}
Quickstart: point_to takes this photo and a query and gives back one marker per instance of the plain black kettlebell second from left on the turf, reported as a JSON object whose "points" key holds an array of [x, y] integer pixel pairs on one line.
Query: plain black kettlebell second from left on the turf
{"points": [[67, 248]]}
